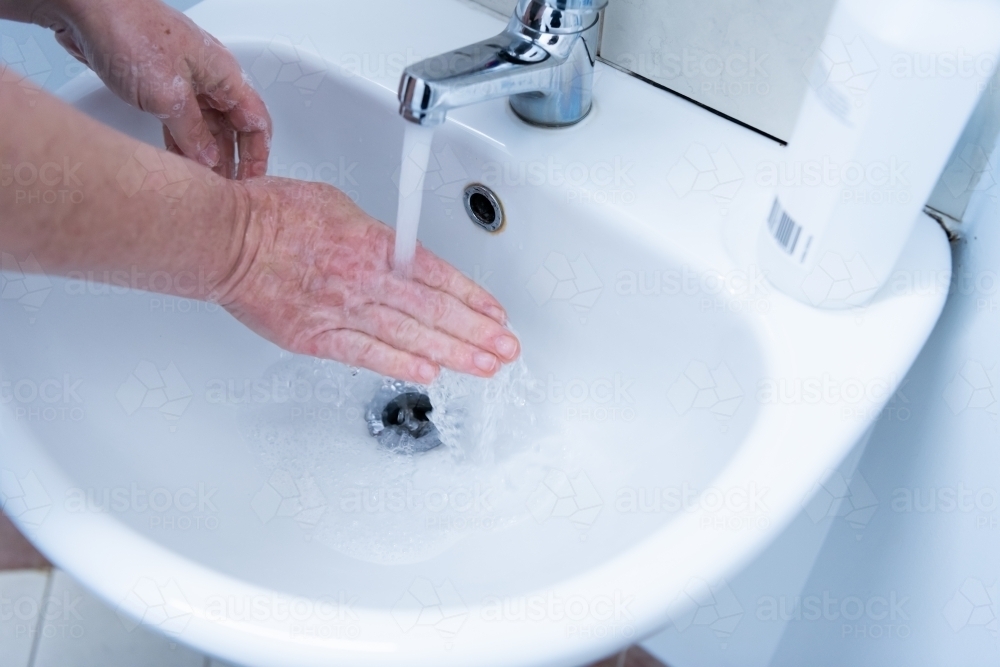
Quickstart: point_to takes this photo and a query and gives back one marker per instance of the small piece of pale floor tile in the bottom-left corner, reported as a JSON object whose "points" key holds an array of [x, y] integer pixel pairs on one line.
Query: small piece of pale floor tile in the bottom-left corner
{"points": [[21, 595]]}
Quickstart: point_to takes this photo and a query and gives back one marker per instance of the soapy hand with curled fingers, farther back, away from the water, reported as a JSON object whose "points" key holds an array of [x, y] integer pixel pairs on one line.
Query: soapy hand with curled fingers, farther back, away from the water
{"points": [[158, 60]]}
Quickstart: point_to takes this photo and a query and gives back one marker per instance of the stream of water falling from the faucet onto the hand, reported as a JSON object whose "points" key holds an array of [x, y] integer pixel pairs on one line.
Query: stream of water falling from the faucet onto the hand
{"points": [[413, 169]]}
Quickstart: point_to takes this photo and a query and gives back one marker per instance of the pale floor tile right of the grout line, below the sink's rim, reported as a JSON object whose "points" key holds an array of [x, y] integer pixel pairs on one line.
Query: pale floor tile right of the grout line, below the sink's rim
{"points": [[81, 631]]}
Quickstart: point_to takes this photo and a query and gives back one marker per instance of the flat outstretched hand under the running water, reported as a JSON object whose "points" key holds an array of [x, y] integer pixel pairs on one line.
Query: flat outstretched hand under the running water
{"points": [[315, 276]]}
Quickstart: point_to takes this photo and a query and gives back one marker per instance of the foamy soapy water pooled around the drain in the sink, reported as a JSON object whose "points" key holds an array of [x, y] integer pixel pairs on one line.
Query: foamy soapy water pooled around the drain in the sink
{"points": [[362, 500]]}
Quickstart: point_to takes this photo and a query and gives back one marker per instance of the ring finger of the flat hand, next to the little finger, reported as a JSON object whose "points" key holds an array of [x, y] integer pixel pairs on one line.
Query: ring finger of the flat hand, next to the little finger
{"points": [[405, 333]]}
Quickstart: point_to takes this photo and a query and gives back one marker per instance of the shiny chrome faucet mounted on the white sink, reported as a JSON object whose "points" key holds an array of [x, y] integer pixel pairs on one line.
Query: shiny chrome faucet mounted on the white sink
{"points": [[543, 61]]}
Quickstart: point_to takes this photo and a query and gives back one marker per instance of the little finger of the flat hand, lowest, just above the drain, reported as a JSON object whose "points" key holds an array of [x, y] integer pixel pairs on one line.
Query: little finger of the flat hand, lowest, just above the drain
{"points": [[359, 349]]}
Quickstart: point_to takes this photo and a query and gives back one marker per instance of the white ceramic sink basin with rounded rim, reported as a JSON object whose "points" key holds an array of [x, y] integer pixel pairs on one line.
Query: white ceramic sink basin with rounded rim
{"points": [[253, 550]]}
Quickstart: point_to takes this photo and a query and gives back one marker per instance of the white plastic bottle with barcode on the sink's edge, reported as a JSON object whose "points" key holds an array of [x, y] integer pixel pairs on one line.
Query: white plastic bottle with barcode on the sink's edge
{"points": [[890, 92]]}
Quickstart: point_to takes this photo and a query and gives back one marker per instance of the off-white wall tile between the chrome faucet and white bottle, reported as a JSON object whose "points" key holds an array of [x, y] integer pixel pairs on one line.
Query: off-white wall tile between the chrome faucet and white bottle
{"points": [[703, 50]]}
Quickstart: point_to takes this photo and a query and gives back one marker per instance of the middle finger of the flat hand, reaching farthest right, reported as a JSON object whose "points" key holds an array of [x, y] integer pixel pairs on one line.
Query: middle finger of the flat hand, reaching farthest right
{"points": [[439, 310]]}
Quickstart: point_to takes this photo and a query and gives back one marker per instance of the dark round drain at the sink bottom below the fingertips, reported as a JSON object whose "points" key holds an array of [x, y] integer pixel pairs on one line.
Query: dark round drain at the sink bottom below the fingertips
{"points": [[398, 416]]}
